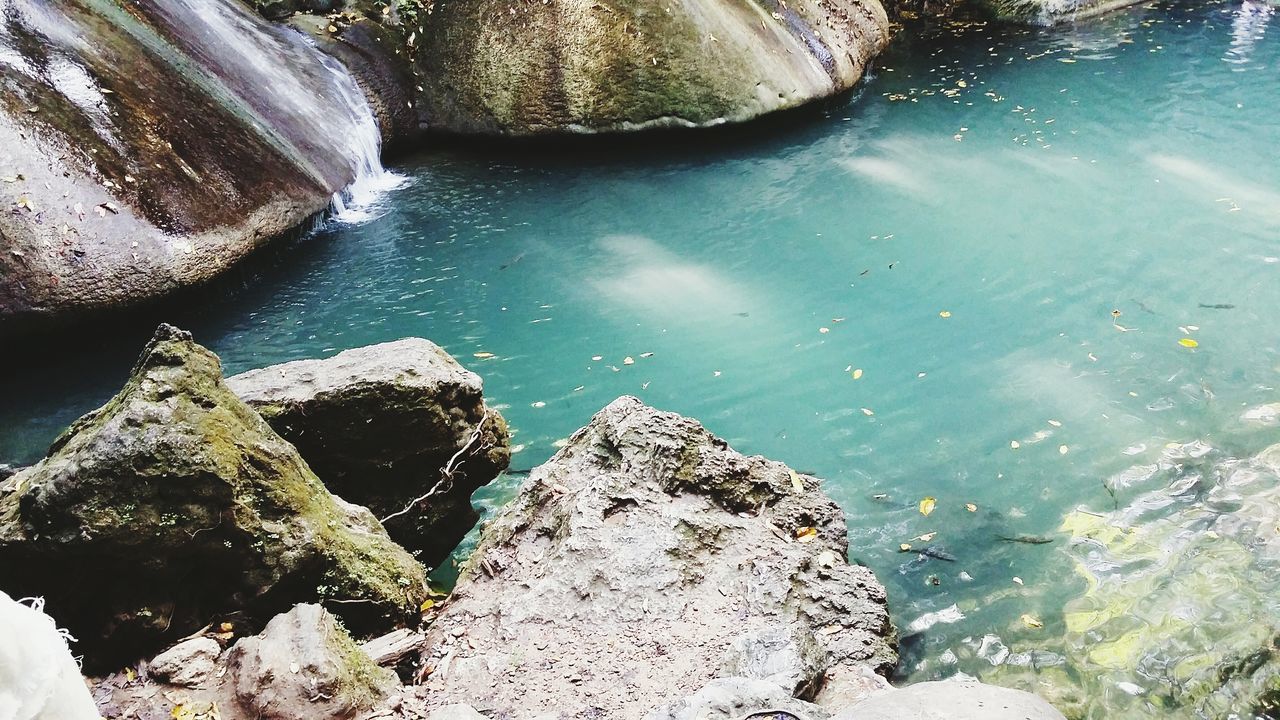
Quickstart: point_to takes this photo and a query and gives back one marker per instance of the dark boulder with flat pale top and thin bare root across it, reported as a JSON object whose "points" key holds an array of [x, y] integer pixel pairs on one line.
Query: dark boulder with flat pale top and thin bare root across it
{"points": [[385, 426]]}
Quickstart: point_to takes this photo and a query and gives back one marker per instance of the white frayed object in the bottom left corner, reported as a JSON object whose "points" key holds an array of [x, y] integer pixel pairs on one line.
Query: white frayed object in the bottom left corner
{"points": [[39, 678]]}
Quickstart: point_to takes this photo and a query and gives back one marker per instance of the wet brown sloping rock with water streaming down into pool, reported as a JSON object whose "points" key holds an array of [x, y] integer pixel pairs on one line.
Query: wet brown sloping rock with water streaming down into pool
{"points": [[154, 144]]}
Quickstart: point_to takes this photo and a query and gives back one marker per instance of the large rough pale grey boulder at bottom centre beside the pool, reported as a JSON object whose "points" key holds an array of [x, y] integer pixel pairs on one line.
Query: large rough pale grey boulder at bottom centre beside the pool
{"points": [[639, 563]]}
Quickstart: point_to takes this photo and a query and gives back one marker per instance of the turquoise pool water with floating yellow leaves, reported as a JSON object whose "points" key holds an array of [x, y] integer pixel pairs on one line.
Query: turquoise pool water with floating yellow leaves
{"points": [[962, 233]]}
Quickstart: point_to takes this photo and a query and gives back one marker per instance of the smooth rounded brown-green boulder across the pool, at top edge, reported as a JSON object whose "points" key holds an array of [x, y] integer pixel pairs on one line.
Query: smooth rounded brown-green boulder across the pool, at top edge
{"points": [[611, 66]]}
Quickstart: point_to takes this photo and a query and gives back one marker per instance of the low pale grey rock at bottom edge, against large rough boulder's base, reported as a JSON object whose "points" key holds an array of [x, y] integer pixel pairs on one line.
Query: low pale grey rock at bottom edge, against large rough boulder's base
{"points": [[739, 699]]}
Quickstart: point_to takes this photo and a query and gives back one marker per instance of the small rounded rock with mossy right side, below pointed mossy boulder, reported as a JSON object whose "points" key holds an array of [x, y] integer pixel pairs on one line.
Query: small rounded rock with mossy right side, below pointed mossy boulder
{"points": [[305, 666]]}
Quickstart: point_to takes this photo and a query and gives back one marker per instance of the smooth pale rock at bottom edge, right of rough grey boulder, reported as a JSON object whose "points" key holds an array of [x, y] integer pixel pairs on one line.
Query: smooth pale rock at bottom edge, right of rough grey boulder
{"points": [[952, 700]]}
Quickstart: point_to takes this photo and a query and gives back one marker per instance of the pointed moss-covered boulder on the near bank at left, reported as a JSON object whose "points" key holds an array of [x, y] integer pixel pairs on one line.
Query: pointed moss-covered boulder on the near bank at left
{"points": [[173, 505]]}
